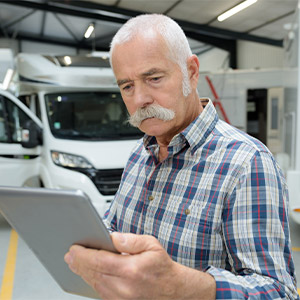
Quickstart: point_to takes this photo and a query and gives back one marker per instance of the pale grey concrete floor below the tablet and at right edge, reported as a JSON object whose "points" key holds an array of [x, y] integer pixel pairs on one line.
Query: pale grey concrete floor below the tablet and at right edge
{"points": [[32, 282]]}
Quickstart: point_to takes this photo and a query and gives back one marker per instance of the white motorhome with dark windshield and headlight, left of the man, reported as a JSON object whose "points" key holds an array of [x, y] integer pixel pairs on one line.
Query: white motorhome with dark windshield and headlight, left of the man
{"points": [[70, 131]]}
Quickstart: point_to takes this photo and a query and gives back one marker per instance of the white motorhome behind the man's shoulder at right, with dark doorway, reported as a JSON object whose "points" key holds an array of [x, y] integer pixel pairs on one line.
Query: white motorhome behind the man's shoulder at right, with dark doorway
{"points": [[264, 104]]}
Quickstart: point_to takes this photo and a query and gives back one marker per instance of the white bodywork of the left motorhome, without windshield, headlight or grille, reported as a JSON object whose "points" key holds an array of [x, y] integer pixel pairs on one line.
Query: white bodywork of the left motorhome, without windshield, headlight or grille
{"points": [[39, 76]]}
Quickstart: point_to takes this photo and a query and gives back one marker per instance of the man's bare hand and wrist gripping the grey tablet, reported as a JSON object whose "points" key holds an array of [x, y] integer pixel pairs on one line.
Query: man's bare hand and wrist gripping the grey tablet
{"points": [[144, 270]]}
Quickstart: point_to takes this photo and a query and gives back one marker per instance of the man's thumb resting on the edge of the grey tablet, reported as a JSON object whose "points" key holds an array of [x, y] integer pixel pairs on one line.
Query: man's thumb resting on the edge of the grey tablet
{"points": [[134, 243]]}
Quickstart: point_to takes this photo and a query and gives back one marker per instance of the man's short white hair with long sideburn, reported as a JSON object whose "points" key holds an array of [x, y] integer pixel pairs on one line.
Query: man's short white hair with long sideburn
{"points": [[169, 30]]}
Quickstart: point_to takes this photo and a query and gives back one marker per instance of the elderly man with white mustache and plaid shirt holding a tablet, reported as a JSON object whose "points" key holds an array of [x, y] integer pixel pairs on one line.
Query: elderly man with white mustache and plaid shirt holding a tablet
{"points": [[201, 211]]}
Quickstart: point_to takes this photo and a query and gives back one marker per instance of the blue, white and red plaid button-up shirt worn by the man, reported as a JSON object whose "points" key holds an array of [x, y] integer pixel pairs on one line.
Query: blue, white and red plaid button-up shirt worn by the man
{"points": [[218, 203]]}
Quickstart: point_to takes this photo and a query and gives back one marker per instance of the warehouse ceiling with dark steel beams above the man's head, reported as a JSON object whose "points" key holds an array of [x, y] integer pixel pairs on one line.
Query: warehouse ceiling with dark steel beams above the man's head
{"points": [[65, 22]]}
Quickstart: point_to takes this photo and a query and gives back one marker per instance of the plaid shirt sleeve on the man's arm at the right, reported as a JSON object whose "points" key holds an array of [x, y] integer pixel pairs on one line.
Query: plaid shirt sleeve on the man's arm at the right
{"points": [[259, 262]]}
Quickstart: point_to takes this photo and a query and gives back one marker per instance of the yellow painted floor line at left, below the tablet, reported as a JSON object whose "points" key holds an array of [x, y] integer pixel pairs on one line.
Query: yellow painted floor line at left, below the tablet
{"points": [[9, 271]]}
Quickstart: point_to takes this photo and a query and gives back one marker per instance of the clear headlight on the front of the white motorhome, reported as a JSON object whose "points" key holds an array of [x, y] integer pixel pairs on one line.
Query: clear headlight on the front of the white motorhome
{"points": [[69, 160]]}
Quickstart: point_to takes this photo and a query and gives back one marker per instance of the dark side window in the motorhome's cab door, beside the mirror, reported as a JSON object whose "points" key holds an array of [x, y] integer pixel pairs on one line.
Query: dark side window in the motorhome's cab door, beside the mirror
{"points": [[16, 119]]}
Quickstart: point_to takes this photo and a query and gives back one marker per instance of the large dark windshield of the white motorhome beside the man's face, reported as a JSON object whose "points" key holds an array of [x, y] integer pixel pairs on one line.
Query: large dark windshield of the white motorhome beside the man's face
{"points": [[89, 116]]}
